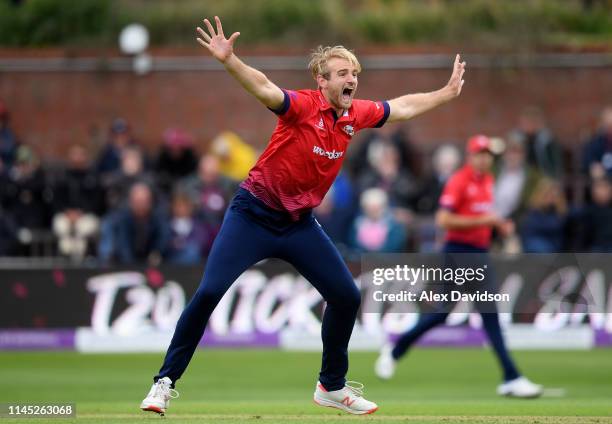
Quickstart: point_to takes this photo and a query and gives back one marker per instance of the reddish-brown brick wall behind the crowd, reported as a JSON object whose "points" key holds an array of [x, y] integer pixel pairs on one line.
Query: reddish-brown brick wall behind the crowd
{"points": [[51, 110]]}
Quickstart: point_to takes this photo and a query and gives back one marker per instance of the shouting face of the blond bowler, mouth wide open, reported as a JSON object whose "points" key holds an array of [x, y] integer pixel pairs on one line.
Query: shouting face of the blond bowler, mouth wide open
{"points": [[340, 87]]}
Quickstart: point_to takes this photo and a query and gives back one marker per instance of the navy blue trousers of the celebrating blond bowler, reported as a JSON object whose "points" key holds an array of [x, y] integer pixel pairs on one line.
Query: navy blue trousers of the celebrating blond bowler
{"points": [[252, 231]]}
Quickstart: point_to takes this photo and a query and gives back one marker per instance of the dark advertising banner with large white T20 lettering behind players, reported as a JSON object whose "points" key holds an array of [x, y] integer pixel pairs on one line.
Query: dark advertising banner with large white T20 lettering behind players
{"points": [[561, 301]]}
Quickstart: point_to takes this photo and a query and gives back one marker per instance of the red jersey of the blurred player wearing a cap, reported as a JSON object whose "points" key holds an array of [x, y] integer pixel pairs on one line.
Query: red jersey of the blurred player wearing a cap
{"points": [[469, 193]]}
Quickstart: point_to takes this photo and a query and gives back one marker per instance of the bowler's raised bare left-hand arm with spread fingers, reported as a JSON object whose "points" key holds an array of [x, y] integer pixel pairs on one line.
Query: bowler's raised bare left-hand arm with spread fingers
{"points": [[254, 81]]}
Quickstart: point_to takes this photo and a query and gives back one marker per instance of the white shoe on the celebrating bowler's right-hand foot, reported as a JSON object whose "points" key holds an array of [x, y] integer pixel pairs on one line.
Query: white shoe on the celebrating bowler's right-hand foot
{"points": [[349, 398]]}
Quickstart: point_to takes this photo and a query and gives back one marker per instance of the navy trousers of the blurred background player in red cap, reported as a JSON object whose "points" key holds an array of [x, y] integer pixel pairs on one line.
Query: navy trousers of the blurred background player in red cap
{"points": [[490, 318]]}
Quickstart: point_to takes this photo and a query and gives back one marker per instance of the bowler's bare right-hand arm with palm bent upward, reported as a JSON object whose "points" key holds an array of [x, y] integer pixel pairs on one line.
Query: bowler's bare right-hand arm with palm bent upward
{"points": [[411, 105]]}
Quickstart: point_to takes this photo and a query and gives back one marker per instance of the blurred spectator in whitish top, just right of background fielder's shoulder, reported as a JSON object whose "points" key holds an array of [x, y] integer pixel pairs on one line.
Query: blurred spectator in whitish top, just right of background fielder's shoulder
{"points": [[515, 180]]}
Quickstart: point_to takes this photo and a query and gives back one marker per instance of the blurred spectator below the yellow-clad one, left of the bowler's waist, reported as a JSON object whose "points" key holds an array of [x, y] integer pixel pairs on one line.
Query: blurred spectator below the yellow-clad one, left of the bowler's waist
{"points": [[209, 190]]}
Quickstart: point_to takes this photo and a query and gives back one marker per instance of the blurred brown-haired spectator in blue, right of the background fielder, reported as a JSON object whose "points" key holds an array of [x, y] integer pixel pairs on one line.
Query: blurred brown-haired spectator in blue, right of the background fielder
{"points": [[543, 227]]}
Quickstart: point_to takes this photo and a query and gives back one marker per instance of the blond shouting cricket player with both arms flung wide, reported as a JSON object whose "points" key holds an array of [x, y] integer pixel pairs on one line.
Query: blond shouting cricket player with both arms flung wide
{"points": [[271, 213]]}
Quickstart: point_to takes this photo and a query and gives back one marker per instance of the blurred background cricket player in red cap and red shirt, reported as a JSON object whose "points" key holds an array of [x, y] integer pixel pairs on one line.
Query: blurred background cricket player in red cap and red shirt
{"points": [[467, 216]]}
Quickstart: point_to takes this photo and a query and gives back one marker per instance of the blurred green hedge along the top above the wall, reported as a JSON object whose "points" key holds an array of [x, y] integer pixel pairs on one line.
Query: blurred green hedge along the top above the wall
{"points": [[305, 22]]}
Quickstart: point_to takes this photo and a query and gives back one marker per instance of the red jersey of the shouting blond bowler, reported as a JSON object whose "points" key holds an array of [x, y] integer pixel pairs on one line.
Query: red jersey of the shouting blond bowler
{"points": [[306, 150]]}
